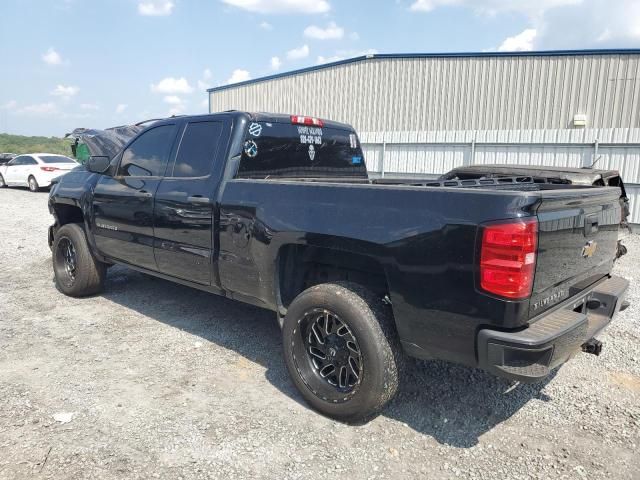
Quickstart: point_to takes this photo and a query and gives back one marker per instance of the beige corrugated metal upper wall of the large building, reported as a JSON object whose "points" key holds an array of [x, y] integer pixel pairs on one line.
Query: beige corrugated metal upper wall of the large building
{"points": [[458, 93]]}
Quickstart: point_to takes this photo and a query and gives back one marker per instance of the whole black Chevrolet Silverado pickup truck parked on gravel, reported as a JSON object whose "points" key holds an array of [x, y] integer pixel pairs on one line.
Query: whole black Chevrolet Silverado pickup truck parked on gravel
{"points": [[508, 274]]}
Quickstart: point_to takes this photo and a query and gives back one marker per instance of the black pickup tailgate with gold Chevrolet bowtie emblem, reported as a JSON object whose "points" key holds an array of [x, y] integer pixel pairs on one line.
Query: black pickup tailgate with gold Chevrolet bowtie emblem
{"points": [[578, 234]]}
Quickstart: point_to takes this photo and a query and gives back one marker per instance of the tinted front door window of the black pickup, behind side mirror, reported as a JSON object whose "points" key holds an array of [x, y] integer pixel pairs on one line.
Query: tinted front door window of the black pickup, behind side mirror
{"points": [[147, 156]]}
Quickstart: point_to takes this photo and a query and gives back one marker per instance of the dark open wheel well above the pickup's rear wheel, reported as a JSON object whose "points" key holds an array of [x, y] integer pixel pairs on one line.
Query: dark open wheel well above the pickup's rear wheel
{"points": [[301, 267]]}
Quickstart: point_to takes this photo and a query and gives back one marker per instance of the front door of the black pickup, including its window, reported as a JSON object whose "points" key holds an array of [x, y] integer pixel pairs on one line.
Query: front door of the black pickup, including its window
{"points": [[123, 205]]}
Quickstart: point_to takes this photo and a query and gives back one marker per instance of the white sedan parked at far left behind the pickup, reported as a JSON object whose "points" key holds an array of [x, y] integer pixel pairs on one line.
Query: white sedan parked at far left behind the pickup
{"points": [[35, 170]]}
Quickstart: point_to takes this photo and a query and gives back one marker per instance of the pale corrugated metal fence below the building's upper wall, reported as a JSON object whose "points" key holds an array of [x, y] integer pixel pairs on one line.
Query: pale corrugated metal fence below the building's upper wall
{"points": [[439, 151]]}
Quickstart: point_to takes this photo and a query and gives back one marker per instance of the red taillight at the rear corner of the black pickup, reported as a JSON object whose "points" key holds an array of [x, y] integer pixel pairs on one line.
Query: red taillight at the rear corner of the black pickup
{"points": [[508, 258]]}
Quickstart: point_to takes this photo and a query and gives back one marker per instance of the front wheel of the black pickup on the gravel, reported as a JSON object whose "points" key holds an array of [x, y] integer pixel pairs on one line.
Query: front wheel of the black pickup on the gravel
{"points": [[77, 272]]}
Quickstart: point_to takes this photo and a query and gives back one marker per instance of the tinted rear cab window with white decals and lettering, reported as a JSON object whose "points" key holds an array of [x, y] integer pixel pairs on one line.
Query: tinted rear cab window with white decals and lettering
{"points": [[289, 150]]}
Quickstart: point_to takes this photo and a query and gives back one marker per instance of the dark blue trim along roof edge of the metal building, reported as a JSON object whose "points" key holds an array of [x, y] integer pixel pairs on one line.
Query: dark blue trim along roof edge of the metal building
{"points": [[384, 56]]}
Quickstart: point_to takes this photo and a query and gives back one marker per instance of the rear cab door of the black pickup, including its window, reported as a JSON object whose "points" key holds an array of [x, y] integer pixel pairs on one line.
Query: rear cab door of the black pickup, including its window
{"points": [[185, 201]]}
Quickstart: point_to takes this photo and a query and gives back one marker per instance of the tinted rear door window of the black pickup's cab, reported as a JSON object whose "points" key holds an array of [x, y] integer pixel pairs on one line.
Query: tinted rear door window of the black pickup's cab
{"points": [[197, 149]]}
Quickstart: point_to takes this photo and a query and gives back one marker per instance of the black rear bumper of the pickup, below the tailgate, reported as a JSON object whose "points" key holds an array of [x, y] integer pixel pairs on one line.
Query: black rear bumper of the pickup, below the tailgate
{"points": [[530, 354]]}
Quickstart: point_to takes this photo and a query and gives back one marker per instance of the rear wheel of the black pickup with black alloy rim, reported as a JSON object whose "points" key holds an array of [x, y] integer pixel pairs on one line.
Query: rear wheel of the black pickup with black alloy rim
{"points": [[363, 385]]}
